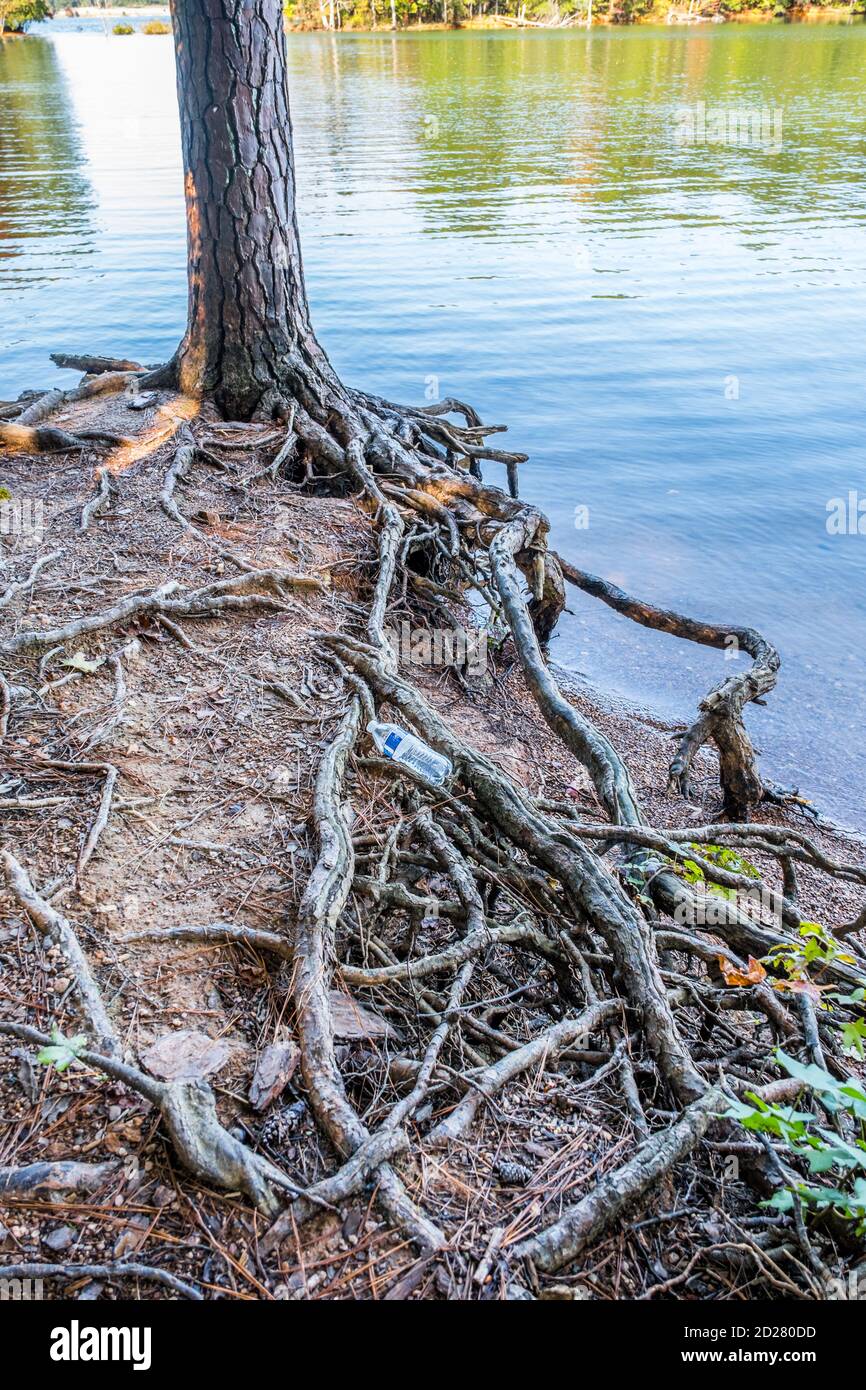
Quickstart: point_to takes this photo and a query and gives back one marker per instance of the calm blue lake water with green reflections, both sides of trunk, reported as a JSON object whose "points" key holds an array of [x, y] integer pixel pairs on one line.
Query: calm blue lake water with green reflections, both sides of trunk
{"points": [[672, 325]]}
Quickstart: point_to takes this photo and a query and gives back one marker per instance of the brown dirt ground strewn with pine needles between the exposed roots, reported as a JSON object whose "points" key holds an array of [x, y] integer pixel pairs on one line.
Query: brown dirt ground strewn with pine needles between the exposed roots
{"points": [[209, 824]]}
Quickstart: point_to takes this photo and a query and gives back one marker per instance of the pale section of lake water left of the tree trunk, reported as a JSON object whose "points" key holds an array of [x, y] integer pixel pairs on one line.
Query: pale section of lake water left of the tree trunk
{"points": [[90, 184]]}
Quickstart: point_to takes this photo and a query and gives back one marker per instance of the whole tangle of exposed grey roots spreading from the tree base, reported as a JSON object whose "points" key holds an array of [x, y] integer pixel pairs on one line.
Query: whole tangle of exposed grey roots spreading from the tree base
{"points": [[497, 893]]}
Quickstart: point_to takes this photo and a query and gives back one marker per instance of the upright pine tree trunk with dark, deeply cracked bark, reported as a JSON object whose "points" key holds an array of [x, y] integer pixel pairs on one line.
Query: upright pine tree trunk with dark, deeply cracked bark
{"points": [[250, 326]]}
